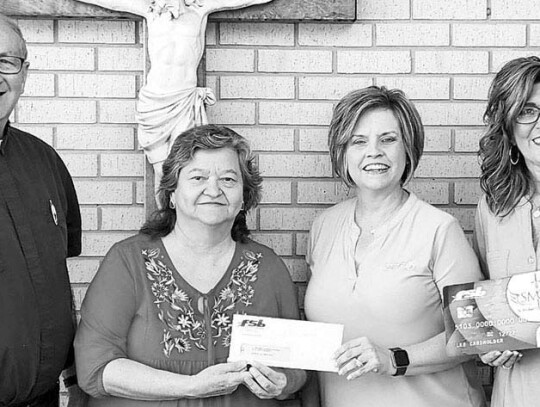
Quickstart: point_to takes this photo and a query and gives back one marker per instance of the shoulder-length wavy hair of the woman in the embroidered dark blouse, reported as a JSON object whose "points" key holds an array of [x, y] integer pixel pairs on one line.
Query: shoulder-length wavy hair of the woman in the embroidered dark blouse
{"points": [[207, 137]]}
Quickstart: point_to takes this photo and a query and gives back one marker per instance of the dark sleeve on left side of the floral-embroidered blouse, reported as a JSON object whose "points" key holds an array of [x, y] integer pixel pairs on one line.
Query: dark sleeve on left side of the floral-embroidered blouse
{"points": [[106, 315]]}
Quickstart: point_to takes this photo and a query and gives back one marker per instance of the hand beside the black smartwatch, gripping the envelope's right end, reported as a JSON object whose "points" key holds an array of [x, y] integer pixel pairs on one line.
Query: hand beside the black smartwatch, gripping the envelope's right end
{"points": [[360, 356]]}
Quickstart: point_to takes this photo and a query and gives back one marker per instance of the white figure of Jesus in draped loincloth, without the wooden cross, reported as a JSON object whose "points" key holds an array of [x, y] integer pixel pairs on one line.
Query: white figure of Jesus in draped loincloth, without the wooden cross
{"points": [[170, 101]]}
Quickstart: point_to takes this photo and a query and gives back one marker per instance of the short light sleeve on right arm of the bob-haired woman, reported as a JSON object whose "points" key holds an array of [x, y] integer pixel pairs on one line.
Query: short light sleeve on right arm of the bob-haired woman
{"points": [[453, 259]]}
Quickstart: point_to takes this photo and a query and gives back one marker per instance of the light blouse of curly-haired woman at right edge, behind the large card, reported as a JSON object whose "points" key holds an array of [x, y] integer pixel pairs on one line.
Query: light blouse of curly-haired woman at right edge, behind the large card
{"points": [[505, 247]]}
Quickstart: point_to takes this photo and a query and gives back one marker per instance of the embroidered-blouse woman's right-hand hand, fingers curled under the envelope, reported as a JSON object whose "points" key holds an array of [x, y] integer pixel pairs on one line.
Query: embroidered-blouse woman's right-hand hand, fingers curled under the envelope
{"points": [[264, 382]]}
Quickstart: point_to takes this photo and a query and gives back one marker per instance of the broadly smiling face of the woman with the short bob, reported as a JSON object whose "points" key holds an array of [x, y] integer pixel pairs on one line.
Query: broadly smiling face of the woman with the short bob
{"points": [[376, 155]]}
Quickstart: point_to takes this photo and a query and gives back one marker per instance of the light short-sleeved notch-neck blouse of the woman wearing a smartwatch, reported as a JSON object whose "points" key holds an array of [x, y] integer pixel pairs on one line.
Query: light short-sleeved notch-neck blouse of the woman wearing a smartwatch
{"points": [[393, 297]]}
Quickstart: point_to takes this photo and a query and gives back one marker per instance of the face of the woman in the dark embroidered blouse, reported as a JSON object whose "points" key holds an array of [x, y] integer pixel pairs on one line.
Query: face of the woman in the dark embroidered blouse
{"points": [[210, 189]]}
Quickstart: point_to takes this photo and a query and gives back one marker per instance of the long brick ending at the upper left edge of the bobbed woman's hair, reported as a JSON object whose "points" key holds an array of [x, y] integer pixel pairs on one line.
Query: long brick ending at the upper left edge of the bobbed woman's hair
{"points": [[295, 113]]}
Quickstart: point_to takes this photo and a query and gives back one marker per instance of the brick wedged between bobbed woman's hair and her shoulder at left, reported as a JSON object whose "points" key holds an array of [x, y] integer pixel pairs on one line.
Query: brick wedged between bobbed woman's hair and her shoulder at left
{"points": [[322, 192]]}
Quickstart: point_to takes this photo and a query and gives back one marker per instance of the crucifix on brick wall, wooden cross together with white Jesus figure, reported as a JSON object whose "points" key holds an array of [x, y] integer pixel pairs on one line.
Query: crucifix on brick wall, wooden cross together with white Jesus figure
{"points": [[170, 101]]}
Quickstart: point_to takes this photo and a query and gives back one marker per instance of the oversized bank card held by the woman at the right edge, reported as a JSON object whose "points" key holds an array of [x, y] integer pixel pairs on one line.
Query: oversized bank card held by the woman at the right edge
{"points": [[493, 314]]}
